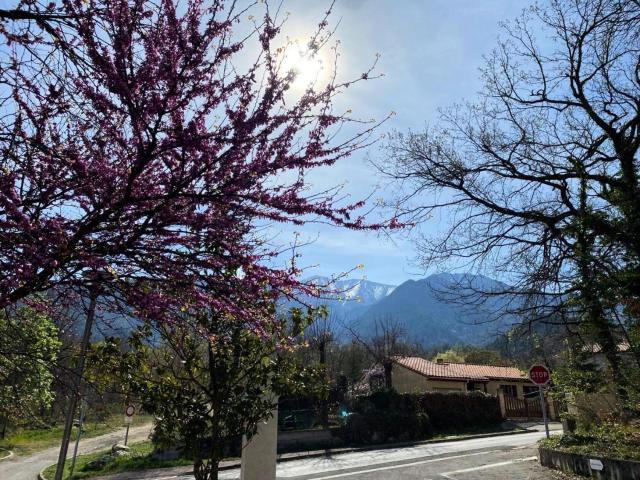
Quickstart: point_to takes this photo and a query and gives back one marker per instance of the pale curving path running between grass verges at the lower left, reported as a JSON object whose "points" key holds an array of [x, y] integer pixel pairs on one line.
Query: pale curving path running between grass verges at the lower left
{"points": [[27, 468]]}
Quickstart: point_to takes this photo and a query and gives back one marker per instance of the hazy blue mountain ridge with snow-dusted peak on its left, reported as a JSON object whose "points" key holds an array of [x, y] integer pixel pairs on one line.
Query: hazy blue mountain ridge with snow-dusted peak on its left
{"points": [[443, 308]]}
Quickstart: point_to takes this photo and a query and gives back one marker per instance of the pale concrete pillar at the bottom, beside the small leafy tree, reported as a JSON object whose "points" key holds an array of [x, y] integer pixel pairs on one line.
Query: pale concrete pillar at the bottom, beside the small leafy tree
{"points": [[259, 454]]}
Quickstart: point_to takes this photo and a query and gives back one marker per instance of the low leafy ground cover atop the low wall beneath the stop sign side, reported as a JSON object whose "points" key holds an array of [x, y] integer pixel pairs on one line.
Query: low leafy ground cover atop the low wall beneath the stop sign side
{"points": [[610, 440]]}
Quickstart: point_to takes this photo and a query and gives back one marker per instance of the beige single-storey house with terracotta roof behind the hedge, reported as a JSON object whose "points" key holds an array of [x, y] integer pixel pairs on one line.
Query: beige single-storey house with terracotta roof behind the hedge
{"points": [[416, 375]]}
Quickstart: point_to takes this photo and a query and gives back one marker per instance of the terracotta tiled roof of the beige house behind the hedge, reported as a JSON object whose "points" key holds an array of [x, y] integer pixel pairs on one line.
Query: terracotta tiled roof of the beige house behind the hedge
{"points": [[462, 371]]}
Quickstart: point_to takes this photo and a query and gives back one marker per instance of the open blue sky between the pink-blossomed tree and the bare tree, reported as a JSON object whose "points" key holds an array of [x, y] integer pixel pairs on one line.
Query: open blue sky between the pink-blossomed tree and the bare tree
{"points": [[431, 51]]}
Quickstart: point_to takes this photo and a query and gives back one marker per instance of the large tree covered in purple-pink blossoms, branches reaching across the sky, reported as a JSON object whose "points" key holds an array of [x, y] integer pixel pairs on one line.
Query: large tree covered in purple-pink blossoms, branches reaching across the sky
{"points": [[133, 143]]}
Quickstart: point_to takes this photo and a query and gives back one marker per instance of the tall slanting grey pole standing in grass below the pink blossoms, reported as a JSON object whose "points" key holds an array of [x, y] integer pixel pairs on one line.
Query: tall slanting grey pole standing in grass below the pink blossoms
{"points": [[77, 376]]}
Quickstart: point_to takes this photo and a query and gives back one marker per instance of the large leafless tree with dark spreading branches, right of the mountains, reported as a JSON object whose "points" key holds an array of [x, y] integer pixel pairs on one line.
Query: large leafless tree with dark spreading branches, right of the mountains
{"points": [[540, 175]]}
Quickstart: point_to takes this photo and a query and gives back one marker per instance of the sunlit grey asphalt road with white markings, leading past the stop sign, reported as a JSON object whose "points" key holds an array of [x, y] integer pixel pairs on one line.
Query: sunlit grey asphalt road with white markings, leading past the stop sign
{"points": [[500, 457]]}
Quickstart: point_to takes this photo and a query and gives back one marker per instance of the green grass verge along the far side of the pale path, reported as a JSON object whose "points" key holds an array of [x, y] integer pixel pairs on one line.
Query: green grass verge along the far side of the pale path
{"points": [[26, 441]]}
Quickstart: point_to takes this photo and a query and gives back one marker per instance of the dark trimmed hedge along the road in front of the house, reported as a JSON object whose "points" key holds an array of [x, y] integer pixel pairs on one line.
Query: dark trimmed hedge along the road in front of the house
{"points": [[391, 416]]}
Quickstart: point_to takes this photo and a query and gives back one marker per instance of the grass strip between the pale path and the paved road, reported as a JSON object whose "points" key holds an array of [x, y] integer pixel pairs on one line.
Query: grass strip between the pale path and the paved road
{"points": [[139, 458]]}
